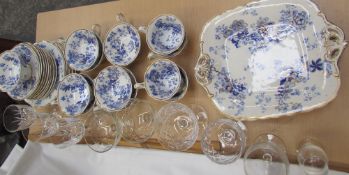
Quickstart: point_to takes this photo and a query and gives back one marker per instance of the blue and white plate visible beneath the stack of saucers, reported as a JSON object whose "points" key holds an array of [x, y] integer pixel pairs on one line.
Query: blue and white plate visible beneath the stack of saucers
{"points": [[55, 48]]}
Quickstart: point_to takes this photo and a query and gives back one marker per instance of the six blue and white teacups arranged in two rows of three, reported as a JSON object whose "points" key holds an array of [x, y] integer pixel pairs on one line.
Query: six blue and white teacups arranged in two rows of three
{"points": [[115, 86]]}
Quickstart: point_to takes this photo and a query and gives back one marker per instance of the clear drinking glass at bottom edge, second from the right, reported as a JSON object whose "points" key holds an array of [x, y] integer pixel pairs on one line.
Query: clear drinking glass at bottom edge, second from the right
{"points": [[267, 156]]}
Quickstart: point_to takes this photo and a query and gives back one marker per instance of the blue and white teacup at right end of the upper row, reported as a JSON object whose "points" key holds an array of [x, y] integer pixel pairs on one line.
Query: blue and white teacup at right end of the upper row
{"points": [[165, 36]]}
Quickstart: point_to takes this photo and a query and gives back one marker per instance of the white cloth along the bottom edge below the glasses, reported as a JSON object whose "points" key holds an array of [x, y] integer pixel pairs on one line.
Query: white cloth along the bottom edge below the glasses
{"points": [[44, 159]]}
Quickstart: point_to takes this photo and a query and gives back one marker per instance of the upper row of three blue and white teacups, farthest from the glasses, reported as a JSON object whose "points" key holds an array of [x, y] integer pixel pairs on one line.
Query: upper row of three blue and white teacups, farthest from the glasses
{"points": [[165, 36]]}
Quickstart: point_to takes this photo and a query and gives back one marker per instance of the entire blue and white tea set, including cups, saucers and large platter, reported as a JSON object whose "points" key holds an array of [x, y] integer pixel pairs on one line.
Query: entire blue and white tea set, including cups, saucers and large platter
{"points": [[256, 62]]}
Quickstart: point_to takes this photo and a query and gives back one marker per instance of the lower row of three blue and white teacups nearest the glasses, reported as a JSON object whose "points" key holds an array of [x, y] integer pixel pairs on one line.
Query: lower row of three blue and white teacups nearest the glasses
{"points": [[114, 87]]}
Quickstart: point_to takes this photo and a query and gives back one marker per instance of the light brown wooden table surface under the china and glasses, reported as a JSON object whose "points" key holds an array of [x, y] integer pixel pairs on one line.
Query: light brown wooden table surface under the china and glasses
{"points": [[329, 125]]}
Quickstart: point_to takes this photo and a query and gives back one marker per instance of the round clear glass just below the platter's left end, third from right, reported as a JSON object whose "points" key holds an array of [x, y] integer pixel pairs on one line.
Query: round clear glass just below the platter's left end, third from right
{"points": [[224, 141]]}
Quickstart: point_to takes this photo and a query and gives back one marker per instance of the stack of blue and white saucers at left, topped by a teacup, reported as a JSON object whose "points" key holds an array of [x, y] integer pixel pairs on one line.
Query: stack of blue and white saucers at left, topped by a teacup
{"points": [[37, 75]]}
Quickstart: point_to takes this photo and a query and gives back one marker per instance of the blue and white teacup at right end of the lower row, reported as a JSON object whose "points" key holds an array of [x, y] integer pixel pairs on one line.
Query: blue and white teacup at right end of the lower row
{"points": [[164, 81]]}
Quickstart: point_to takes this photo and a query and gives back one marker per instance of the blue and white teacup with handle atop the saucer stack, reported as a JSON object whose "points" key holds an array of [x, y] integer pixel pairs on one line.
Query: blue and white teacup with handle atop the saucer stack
{"points": [[12, 71]]}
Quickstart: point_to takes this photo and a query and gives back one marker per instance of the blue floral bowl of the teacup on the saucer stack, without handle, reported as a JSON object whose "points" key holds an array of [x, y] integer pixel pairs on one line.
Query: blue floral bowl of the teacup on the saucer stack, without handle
{"points": [[10, 70]]}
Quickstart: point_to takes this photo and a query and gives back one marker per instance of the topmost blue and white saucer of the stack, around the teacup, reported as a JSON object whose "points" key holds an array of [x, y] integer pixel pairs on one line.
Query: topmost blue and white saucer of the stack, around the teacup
{"points": [[26, 87]]}
